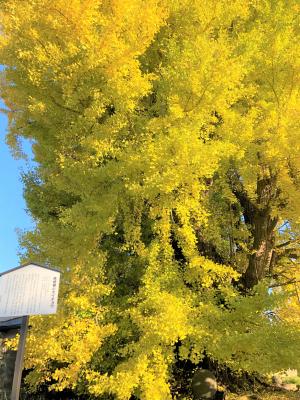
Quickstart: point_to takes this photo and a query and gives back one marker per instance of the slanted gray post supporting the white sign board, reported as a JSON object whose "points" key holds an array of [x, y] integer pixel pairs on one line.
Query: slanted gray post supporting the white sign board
{"points": [[15, 393]]}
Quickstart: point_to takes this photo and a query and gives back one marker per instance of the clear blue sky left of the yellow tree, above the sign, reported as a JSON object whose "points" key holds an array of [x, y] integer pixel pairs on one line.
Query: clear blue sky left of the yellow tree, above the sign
{"points": [[12, 206]]}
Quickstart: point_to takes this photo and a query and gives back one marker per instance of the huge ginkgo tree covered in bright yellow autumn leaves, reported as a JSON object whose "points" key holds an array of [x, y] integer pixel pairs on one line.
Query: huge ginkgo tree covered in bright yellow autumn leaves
{"points": [[166, 137]]}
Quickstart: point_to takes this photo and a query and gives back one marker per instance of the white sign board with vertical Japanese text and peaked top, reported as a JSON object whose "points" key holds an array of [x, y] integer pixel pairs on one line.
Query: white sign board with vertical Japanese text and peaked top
{"points": [[28, 290]]}
